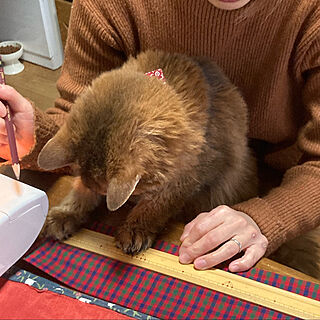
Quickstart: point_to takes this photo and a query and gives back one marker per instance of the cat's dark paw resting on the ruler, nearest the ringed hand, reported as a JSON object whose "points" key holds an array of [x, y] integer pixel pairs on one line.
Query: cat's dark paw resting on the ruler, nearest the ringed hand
{"points": [[133, 240]]}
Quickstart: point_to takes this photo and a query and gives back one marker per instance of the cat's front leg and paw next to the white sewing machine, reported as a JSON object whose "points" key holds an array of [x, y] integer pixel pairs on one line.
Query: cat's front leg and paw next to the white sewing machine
{"points": [[66, 218]]}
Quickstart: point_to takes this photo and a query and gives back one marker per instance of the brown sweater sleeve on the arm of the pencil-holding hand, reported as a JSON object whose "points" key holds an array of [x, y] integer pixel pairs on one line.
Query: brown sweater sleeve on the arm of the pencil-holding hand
{"points": [[92, 47]]}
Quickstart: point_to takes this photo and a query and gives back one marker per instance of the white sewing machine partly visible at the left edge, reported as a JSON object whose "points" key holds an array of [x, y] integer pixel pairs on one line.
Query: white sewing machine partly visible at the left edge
{"points": [[23, 210]]}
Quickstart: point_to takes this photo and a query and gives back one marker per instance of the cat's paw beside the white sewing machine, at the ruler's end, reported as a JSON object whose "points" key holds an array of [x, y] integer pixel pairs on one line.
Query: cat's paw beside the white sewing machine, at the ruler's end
{"points": [[60, 224]]}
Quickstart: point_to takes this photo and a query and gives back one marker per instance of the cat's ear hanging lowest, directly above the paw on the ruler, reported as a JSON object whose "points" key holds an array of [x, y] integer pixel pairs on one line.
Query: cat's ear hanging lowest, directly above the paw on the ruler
{"points": [[118, 192]]}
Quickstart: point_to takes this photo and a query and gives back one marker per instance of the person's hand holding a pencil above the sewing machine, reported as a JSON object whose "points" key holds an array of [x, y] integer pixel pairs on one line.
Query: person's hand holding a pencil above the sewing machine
{"points": [[22, 117]]}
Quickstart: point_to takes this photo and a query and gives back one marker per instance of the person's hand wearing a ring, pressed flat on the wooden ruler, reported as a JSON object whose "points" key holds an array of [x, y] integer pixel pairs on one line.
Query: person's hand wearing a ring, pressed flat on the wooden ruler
{"points": [[209, 230]]}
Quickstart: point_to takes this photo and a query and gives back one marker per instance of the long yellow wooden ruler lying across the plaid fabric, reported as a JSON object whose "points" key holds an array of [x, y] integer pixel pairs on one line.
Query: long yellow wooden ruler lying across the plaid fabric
{"points": [[215, 279]]}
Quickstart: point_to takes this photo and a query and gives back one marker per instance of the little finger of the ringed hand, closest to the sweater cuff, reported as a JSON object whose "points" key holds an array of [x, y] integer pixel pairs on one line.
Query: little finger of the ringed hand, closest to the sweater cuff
{"points": [[252, 255]]}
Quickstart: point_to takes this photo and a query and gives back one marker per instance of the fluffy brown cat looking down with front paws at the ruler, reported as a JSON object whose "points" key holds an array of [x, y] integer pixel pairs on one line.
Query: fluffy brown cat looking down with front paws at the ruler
{"points": [[177, 147]]}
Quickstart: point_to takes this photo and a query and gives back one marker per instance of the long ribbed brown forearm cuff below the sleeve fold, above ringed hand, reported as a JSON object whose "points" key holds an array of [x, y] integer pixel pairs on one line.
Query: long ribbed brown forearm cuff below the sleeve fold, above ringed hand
{"points": [[290, 210]]}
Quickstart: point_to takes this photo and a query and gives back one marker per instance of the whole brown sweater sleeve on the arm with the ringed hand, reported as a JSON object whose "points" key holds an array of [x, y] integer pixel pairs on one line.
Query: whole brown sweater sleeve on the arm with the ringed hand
{"points": [[294, 207]]}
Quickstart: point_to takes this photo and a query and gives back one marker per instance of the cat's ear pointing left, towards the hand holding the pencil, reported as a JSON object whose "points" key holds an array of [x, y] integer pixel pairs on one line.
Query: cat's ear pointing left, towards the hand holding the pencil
{"points": [[56, 153]]}
